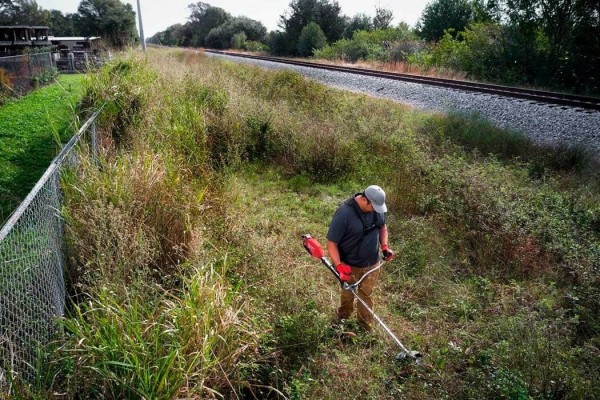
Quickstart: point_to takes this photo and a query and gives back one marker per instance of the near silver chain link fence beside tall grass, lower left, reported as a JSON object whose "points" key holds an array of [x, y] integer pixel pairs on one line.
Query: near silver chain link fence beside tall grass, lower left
{"points": [[32, 261]]}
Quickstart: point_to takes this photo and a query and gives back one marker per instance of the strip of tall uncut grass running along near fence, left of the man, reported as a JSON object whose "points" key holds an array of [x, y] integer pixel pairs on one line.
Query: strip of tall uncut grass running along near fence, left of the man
{"points": [[152, 313]]}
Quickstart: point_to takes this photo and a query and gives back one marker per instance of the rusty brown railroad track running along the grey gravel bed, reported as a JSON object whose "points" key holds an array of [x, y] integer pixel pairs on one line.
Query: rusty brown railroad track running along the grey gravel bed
{"points": [[541, 96]]}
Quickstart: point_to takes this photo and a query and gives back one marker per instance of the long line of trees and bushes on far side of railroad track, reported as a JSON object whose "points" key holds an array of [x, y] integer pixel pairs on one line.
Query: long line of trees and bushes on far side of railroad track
{"points": [[545, 43]]}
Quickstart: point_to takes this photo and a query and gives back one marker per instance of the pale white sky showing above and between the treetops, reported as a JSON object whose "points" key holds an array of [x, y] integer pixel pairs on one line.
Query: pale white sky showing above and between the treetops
{"points": [[157, 15]]}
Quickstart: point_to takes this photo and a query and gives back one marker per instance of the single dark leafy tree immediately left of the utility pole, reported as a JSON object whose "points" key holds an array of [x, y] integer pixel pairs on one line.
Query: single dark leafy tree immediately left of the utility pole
{"points": [[110, 19]]}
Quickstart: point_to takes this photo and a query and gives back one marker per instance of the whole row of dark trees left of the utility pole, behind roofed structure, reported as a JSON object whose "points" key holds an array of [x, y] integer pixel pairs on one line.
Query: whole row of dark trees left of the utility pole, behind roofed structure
{"points": [[112, 20]]}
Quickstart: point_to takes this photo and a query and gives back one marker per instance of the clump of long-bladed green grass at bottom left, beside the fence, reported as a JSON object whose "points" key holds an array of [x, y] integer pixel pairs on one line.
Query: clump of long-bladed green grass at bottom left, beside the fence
{"points": [[185, 343]]}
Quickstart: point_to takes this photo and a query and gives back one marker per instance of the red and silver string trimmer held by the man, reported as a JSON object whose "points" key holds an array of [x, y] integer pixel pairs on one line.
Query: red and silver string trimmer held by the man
{"points": [[314, 249]]}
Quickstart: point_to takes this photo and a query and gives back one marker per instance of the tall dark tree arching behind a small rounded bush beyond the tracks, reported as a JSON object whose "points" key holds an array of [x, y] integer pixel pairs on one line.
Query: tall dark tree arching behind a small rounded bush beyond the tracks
{"points": [[325, 13]]}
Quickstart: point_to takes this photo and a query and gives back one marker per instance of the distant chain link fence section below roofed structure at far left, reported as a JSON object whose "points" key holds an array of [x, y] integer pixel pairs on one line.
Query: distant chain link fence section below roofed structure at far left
{"points": [[18, 72]]}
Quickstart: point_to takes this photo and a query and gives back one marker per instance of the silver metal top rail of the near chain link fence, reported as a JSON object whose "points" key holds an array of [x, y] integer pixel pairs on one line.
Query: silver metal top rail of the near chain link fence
{"points": [[16, 215]]}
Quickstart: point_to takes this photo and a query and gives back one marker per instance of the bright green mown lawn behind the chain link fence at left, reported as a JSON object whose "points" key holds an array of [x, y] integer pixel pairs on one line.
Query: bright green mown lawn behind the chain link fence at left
{"points": [[30, 128]]}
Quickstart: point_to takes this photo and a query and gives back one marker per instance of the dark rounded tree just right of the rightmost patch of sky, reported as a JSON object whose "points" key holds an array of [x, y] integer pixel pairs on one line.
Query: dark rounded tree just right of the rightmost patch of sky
{"points": [[441, 15]]}
